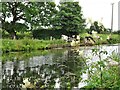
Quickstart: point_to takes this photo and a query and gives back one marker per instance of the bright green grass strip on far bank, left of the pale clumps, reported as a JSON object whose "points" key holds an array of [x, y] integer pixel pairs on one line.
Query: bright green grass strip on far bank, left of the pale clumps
{"points": [[9, 45]]}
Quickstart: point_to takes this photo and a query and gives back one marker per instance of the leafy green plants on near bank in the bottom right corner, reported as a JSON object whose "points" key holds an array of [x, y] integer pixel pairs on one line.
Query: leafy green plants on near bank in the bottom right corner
{"points": [[100, 73]]}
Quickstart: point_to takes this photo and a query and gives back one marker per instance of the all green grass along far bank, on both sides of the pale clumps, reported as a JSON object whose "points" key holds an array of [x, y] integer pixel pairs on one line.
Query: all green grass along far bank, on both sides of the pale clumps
{"points": [[9, 45]]}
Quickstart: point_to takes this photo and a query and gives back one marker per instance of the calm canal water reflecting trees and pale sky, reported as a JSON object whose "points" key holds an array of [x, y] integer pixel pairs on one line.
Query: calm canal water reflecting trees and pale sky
{"points": [[56, 68]]}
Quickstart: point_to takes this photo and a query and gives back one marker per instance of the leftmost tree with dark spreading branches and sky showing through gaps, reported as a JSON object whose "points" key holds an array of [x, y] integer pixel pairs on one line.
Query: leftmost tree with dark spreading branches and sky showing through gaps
{"points": [[17, 11]]}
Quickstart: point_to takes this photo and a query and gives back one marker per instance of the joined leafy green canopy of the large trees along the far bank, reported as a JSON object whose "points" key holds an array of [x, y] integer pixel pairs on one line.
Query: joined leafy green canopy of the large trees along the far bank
{"points": [[32, 15]]}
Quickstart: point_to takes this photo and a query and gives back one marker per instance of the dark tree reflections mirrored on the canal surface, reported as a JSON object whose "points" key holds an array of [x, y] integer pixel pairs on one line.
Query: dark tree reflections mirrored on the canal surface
{"points": [[42, 71]]}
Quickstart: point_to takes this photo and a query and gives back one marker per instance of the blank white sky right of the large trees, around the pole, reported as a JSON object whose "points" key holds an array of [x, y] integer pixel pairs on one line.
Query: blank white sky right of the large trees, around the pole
{"points": [[100, 10]]}
